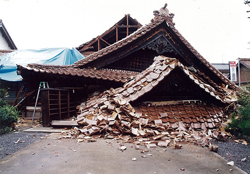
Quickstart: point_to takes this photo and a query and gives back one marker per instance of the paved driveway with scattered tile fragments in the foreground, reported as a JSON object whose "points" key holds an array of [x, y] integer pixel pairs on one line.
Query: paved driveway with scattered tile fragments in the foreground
{"points": [[68, 156]]}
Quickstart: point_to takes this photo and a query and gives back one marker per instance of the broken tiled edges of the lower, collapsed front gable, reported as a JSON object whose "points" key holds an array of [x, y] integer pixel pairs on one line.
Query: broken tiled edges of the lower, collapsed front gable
{"points": [[153, 75]]}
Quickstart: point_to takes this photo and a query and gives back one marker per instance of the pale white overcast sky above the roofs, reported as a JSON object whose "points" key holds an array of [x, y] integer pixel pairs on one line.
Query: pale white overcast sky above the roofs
{"points": [[217, 29]]}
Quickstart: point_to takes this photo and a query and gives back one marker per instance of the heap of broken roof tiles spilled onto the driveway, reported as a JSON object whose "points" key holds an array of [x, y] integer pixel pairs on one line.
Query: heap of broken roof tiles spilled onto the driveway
{"points": [[112, 117]]}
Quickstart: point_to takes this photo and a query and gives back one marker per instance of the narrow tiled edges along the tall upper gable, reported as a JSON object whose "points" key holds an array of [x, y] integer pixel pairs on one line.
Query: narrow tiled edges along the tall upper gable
{"points": [[142, 31]]}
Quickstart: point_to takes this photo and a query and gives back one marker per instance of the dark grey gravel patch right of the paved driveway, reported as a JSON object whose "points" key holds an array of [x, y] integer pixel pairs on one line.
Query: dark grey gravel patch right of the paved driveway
{"points": [[232, 151]]}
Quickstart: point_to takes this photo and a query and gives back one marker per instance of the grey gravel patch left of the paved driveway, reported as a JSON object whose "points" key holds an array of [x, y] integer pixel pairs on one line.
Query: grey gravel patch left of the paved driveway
{"points": [[12, 142]]}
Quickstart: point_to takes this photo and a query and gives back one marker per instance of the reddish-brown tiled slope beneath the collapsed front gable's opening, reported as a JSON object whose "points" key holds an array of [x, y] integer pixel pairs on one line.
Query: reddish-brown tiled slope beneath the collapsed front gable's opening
{"points": [[196, 115]]}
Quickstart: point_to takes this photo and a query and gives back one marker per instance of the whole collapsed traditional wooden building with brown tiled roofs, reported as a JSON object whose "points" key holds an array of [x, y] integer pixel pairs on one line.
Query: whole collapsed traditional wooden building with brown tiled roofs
{"points": [[151, 81]]}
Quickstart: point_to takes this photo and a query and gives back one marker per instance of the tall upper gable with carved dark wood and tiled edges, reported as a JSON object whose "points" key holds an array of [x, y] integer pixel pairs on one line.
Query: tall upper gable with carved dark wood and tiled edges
{"points": [[161, 36]]}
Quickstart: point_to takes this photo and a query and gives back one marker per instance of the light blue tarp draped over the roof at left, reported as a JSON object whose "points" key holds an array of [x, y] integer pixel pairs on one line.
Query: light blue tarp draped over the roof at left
{"points": [[49, 56]]}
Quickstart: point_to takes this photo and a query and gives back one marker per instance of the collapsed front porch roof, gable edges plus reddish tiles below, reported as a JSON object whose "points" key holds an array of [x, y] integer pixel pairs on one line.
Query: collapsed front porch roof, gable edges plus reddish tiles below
{"points": [[171, 114]]}
